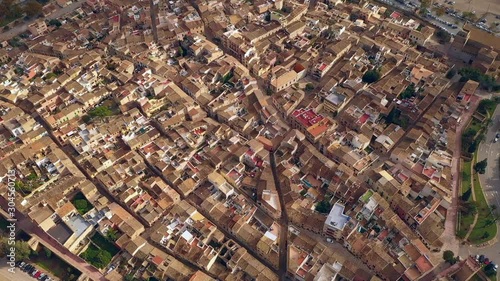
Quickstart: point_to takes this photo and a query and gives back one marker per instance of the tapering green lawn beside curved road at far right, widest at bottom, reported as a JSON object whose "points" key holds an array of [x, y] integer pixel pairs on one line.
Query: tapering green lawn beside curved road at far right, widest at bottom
{"points": [[485, 229]]}
